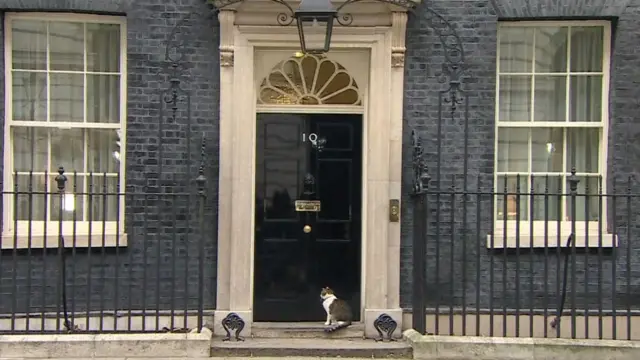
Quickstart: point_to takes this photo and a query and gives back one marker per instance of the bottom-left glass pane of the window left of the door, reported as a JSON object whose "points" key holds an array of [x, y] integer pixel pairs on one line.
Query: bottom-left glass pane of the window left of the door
{"points": [[31, 206]]}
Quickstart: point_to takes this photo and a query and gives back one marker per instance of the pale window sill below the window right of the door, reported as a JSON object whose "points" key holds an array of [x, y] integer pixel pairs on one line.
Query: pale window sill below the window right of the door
{"points": [[511, 241]]}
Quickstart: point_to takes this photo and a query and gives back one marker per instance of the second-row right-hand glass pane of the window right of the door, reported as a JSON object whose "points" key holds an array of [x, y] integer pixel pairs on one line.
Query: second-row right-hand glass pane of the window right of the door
{"points": [[586, 98]]}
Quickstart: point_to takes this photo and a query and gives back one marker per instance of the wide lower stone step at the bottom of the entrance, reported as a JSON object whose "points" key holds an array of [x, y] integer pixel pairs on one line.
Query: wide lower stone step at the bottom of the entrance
{"points": [[301, 347]]}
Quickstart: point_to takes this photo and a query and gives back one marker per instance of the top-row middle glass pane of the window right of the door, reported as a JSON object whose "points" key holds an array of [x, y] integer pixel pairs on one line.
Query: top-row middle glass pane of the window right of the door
{"points": [[551, 49]]}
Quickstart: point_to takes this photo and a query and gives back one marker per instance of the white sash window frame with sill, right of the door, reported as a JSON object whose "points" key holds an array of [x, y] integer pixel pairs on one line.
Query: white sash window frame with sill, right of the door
{"points": [[548, 236]]}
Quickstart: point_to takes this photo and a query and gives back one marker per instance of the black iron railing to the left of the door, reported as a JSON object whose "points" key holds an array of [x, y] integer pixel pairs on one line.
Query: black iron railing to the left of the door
{"points": [[119, 261]]}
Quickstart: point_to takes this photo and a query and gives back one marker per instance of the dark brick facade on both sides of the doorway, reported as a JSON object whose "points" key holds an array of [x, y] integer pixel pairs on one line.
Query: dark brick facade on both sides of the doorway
{"points": [[476, 23]]}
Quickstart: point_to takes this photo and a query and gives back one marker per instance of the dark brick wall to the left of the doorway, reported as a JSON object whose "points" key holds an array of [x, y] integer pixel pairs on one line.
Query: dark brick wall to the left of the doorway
{"points": [[160, 161]]}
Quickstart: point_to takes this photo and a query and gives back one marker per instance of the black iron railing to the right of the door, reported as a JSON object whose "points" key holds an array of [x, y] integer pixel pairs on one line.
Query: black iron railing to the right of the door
{"points": [[501, 259]]}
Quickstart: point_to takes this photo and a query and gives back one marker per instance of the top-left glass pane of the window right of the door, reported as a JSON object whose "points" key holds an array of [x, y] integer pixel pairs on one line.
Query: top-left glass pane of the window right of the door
{"points": [[516, 49]]}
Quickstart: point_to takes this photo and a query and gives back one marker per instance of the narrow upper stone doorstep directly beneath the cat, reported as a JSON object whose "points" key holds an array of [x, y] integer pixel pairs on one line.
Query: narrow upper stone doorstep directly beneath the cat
{"points": [[304, 330]]}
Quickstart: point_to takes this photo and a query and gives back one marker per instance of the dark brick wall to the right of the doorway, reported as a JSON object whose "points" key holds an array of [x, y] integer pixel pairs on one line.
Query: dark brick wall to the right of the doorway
{"points": [[465, 264]]}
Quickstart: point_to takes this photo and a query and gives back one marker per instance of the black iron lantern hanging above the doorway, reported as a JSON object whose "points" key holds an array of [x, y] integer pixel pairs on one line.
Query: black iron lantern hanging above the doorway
{"points": [[315, 24]]}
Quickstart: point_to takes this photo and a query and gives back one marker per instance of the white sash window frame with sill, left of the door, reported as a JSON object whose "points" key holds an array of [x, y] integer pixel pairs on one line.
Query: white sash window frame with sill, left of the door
{"points": [[112, 233]]}
